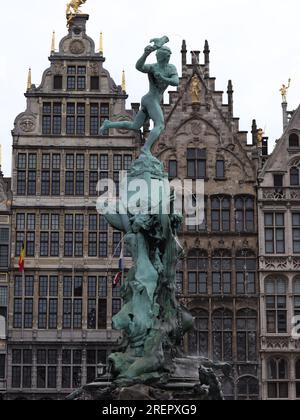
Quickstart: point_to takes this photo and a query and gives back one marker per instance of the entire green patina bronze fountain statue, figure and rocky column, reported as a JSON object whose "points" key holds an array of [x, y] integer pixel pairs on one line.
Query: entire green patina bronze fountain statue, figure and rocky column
{"points": [[152, 319]]}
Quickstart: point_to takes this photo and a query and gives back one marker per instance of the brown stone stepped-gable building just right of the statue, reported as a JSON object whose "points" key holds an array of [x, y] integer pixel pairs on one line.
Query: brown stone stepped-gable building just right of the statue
{"points": [[218, 278]]}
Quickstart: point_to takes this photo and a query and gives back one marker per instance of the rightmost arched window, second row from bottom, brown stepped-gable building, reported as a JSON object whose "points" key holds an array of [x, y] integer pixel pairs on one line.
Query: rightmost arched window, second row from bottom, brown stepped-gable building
{"points": [[247, 335]]}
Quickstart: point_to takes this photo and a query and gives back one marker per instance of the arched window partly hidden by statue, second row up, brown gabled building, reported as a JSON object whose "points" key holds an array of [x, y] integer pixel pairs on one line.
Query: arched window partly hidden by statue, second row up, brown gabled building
{"points": [[198, 339]]}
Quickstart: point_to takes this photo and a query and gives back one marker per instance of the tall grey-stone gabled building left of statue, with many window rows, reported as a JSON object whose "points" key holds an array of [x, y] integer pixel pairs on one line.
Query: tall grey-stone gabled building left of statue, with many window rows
{"points": [[60, 313]]}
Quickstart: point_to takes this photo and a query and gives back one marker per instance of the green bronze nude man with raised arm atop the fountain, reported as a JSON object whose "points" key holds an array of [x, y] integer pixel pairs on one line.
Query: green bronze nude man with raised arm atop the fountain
{"points": [[161, 76]]}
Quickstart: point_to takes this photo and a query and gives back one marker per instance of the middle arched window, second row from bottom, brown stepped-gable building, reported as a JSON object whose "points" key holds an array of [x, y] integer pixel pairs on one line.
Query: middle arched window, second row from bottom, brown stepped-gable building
{"points": [[222, 335]]}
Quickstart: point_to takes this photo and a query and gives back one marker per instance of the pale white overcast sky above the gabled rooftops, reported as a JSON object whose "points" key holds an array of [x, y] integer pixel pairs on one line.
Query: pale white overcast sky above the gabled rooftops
{"points": [[253, 42]]}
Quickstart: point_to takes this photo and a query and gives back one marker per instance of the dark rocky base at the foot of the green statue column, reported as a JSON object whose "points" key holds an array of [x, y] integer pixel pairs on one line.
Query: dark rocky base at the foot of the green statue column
{"points": [[194, 379]]}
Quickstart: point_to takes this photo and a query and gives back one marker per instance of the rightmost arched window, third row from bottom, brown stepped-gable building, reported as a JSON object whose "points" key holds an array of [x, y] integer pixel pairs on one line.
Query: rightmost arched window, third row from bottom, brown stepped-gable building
{"points": [[246, 267]]}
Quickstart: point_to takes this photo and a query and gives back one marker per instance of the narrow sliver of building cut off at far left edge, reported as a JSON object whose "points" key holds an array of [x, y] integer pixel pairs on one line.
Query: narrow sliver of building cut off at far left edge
{"points": [[5, 235]]}
